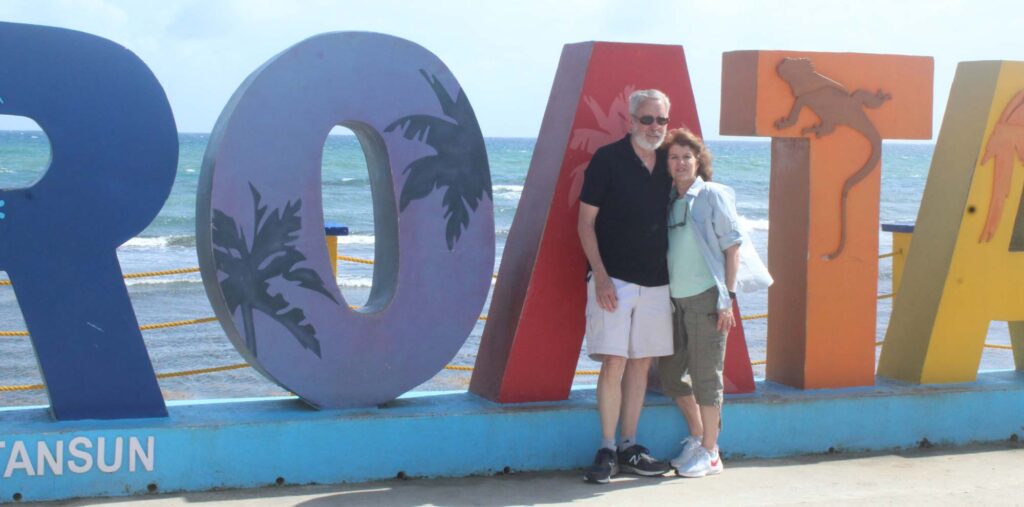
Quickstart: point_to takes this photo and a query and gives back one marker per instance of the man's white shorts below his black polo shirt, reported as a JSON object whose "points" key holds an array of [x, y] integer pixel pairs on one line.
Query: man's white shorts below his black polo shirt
{"points": [[641, 327]]}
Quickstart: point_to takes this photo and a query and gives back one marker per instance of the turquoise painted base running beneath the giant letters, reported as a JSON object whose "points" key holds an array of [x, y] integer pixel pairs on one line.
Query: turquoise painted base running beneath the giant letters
{"points": [[253, 443]]}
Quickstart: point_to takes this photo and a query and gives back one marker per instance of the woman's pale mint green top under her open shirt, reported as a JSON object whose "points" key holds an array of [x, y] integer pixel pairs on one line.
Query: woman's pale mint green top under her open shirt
{"points": [[689, 273]]}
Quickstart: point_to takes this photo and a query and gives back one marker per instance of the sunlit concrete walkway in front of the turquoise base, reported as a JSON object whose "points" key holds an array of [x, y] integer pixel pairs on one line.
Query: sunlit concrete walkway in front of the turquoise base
{"points": [[974, 476]]}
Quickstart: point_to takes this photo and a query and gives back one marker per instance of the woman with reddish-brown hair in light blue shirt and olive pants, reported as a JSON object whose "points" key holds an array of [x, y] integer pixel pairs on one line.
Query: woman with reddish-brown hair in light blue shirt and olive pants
{"points": [[704, 259]]}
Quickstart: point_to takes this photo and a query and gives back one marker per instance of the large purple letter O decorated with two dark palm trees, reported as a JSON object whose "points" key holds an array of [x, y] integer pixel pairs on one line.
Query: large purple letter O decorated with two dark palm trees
{"points": [[261, 226]]}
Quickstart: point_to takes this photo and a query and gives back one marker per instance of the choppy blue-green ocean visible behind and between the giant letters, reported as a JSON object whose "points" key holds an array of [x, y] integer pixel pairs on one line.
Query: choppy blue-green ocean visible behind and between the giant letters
{"points": [[169, 243]]}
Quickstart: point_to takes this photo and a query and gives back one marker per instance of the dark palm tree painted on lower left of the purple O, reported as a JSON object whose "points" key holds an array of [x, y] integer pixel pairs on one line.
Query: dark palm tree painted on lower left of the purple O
{"points": [[249, 270]]}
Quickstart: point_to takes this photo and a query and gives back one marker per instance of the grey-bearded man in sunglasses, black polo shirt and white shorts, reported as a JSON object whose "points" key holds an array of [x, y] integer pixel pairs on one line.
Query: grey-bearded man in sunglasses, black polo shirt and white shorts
{"points": [[624, 234]]}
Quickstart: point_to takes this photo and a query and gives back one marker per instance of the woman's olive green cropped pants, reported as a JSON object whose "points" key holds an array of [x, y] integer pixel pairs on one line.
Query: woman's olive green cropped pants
{"points": [[700, 351]]}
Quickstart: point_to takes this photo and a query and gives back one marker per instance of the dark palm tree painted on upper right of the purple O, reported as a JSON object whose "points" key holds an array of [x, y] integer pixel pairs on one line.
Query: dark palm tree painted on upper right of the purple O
{"points": [[460, 164]]}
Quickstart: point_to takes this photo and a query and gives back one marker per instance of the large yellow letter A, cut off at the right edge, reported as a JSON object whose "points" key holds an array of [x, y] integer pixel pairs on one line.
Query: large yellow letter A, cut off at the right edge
{"points": [[966, 267]]}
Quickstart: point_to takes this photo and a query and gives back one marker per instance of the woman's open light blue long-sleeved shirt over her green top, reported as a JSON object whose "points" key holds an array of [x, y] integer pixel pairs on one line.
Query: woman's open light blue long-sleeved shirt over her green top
{"points": [[717, 227]]}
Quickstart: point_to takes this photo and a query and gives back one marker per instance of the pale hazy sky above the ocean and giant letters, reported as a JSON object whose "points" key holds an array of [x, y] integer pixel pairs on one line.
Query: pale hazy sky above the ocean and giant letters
{"points": [[505, 55]]}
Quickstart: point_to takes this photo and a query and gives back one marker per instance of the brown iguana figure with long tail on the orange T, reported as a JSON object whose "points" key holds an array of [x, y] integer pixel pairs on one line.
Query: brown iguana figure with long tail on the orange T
{"points": [[834, 106]]}
